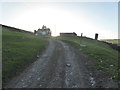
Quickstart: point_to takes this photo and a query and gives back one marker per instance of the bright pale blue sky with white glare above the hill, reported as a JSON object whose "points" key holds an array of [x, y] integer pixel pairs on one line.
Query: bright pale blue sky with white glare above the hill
{"points": [[80, 17]]}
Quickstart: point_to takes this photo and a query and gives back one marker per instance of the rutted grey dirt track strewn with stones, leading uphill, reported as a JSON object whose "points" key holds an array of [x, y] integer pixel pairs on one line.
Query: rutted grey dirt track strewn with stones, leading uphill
{"points": [[61, 66]]}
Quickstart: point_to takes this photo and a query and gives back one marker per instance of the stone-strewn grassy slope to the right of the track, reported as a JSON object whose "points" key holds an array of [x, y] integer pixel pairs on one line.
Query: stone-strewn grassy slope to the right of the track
{"points": [[104, 57]]}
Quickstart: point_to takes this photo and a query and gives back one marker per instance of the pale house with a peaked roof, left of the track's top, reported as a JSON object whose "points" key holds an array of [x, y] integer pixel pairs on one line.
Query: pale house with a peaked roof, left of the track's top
{"points": [[44, 31]]}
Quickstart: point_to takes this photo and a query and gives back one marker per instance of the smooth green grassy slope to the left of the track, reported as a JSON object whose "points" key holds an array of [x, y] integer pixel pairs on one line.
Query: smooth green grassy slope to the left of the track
{"points": [[18, 51]]}
